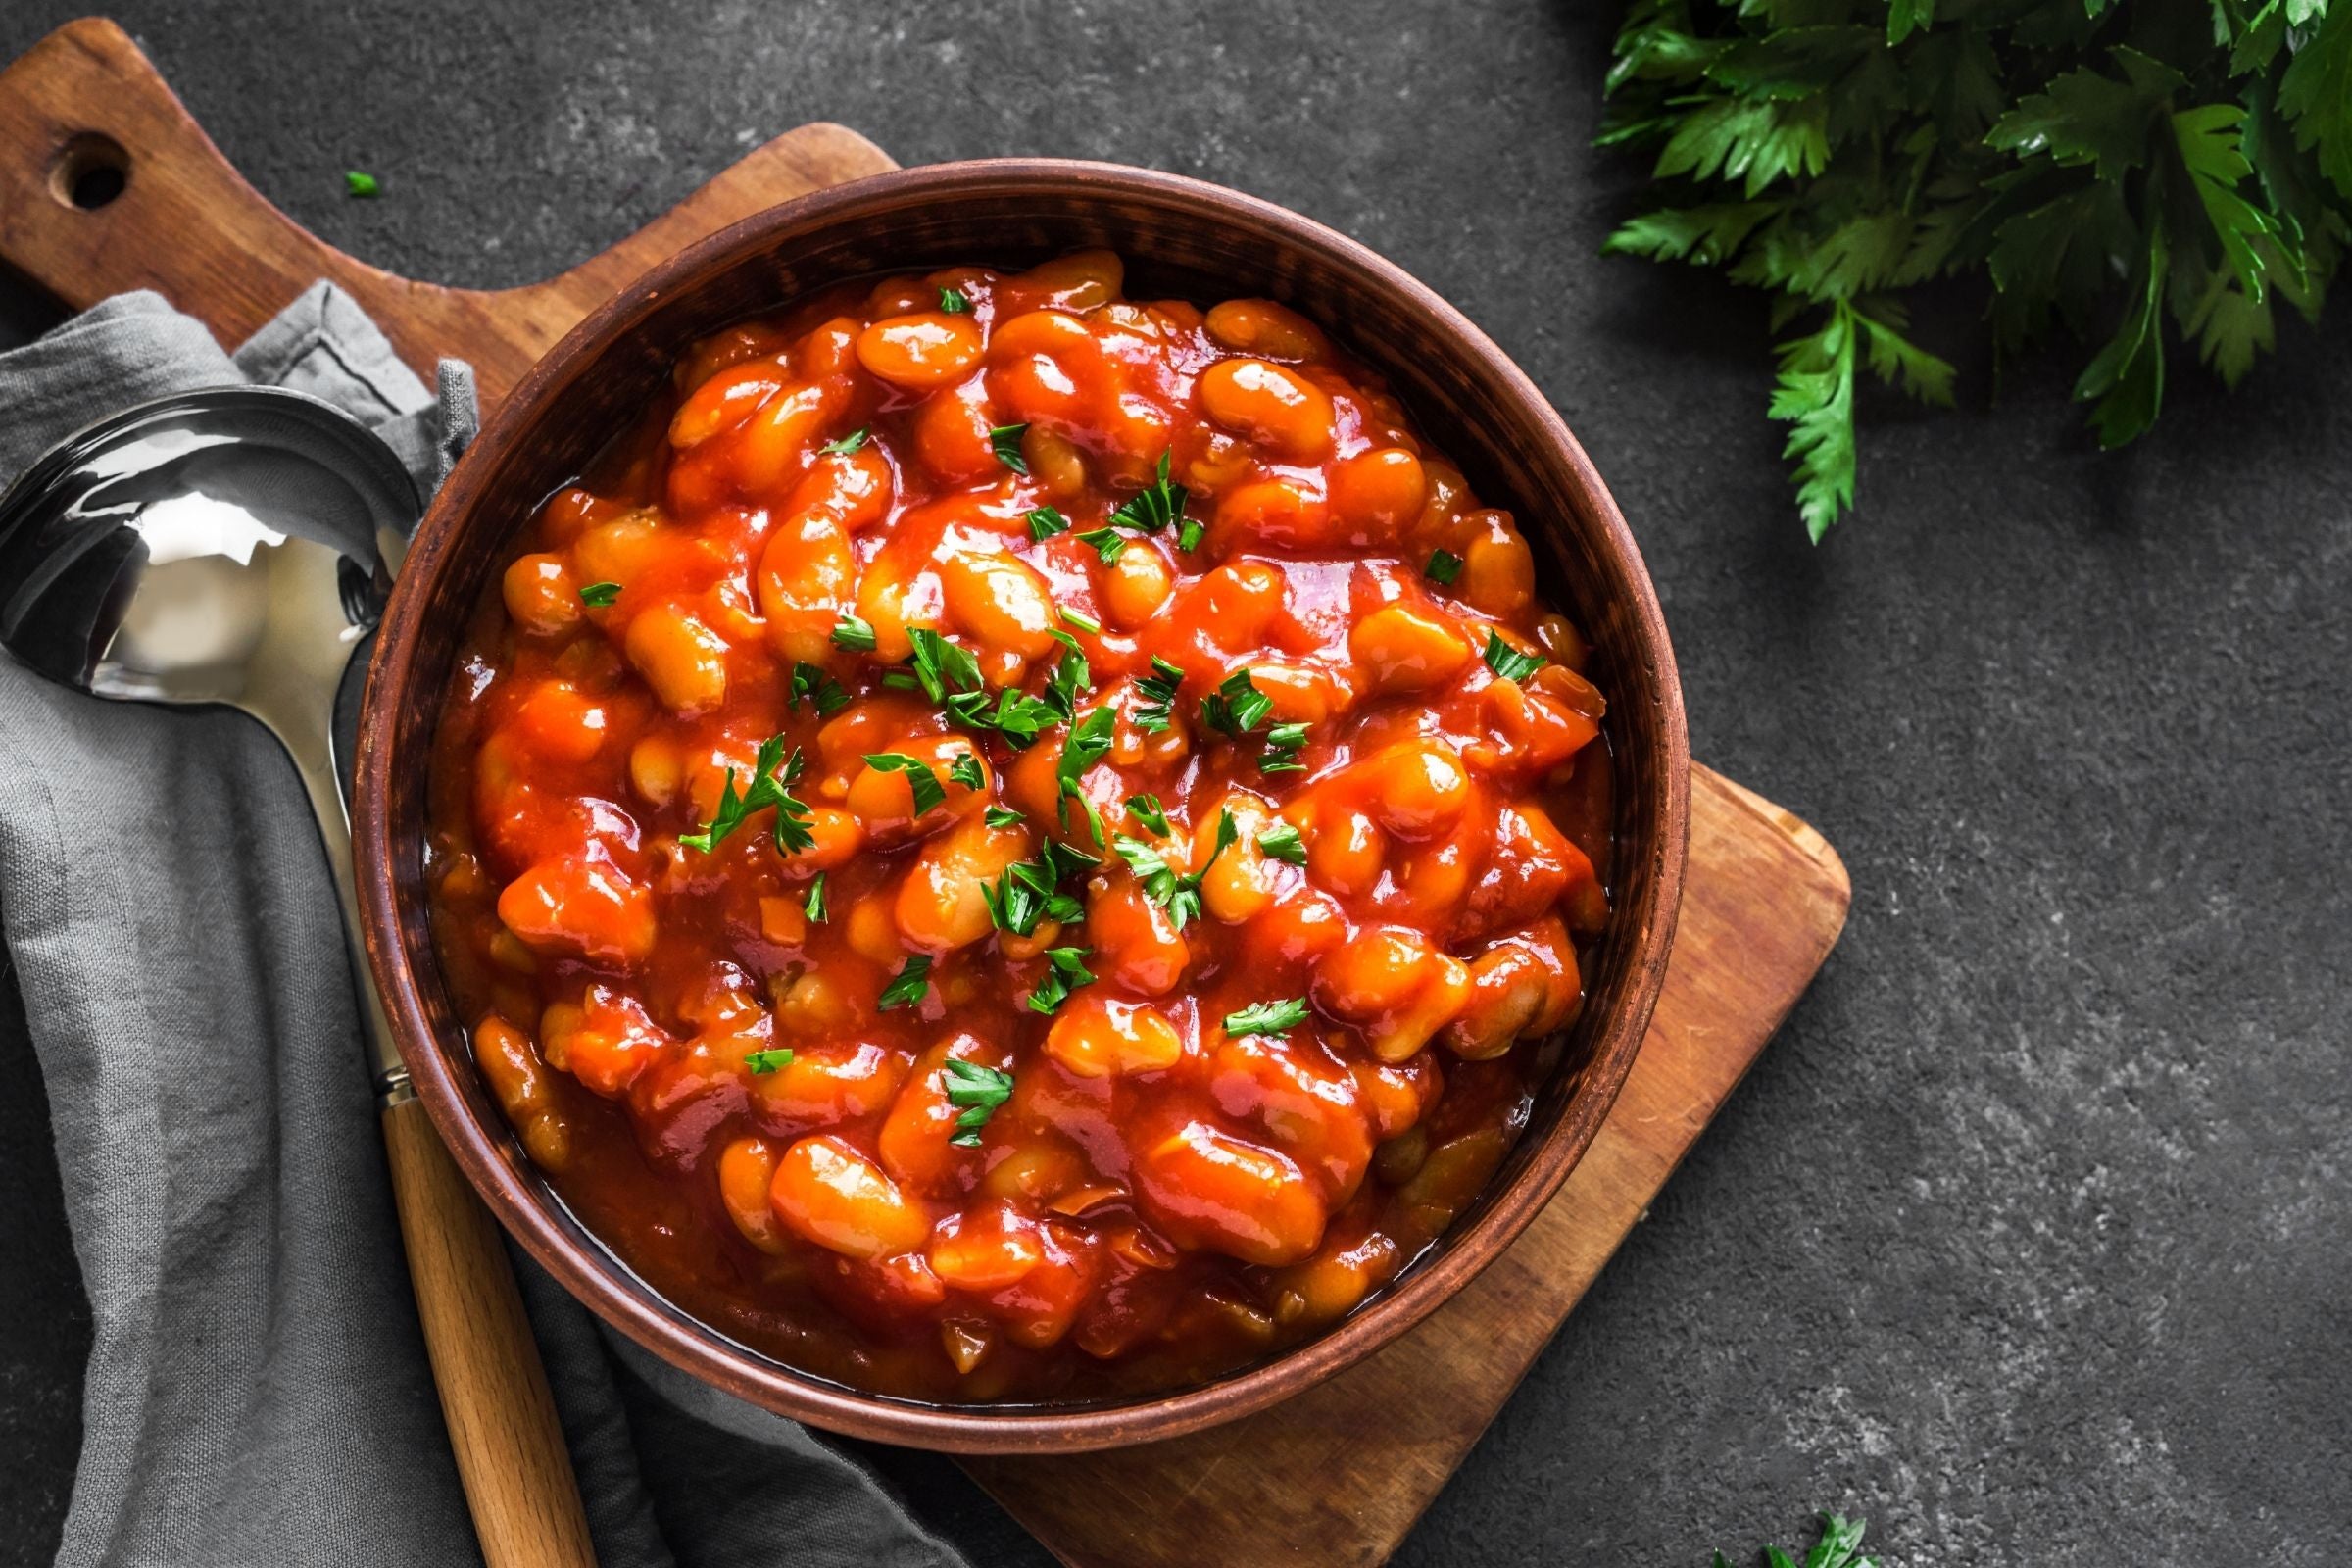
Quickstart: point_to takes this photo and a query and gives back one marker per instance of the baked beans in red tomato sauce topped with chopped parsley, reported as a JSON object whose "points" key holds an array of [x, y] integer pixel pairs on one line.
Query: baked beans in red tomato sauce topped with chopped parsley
{"points": [[1013, 843]]}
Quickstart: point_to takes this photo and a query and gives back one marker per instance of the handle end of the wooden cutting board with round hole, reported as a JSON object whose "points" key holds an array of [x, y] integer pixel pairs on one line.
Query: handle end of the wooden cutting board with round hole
{"points": [[109, 185]]}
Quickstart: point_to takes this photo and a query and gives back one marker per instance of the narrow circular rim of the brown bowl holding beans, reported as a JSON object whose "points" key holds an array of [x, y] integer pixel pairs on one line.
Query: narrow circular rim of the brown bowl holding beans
{"points": [[639, 1311]]}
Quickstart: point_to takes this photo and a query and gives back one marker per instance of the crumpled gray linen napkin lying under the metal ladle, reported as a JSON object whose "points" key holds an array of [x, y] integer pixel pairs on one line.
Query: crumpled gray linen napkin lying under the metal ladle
{"points": [[258, 1388]]}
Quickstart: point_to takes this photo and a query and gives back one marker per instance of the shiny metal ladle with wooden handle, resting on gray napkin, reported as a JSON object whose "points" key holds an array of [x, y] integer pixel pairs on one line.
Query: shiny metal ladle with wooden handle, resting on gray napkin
{"points": [[234, 547]]}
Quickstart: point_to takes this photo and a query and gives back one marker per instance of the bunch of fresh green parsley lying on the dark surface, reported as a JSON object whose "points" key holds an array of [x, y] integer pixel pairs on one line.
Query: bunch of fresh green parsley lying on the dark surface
{"points": [[2078, 163]]}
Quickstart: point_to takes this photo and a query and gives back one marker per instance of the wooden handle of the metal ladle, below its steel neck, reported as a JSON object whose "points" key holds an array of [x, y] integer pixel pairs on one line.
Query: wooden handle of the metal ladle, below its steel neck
{"points": [[486, 1362]]}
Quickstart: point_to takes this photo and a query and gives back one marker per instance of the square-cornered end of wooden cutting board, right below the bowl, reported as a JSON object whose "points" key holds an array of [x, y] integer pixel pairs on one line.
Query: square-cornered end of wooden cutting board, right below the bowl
{"points": [[1339, 1475]]}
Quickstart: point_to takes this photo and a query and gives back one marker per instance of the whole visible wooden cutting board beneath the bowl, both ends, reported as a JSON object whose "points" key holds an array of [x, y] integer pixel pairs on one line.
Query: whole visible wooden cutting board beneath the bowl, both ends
{"points": [[1332, 1477]]}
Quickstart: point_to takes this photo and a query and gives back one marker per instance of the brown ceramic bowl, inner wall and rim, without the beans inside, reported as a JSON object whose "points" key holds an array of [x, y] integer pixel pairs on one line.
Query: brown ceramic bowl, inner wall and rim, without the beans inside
{"points": [[1180, 239]]}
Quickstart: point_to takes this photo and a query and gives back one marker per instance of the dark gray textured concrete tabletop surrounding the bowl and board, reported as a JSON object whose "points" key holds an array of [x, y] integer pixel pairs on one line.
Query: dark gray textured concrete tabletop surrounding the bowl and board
{"points": [[2029, 1235]]}
